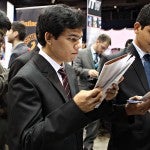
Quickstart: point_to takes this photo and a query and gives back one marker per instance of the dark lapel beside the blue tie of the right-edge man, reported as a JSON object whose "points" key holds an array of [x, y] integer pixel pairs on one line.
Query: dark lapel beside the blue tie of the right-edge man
{"points": [[138, 67]]}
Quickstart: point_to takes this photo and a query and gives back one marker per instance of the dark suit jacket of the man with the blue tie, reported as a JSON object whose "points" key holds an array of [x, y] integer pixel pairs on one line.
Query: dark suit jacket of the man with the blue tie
{"points": [[135, 133]]}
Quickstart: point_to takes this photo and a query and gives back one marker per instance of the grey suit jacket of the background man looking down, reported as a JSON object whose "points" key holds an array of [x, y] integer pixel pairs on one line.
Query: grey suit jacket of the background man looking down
{"points": [[82, 64]]}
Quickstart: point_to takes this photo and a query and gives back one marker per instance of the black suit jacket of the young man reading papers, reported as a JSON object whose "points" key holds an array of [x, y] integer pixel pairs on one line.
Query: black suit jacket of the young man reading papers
{"points": [[40, 115]]}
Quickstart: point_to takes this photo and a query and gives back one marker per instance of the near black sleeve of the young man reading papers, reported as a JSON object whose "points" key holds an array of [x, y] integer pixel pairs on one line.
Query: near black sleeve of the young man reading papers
{"points": [[29, 127]]}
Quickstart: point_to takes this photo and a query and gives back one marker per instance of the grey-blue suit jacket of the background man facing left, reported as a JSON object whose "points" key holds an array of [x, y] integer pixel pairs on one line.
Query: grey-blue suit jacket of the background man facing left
{"points": [[19, 50]]}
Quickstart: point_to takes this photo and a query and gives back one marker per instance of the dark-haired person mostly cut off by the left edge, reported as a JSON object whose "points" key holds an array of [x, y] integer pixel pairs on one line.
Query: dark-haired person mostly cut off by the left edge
{"points": [[5, 25]]}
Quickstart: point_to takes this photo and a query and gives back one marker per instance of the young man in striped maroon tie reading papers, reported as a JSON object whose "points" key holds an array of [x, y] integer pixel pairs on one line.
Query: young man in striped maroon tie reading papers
{"points": [[45, 113]]}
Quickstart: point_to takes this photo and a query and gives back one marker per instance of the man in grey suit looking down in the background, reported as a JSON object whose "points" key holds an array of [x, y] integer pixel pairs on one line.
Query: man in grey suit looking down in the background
{"points": [[86, 67]]}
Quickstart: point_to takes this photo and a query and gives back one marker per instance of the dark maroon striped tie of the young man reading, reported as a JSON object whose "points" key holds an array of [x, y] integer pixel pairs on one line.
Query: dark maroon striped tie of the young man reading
{"points": [[65, 82]]}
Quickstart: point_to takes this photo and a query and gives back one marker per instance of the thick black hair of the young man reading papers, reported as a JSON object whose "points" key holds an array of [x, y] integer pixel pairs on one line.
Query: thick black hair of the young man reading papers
{"points": [[56, 18]]}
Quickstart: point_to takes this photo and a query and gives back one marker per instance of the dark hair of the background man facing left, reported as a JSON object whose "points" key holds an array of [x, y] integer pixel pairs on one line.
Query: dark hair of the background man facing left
{"points": [[20, 28]]}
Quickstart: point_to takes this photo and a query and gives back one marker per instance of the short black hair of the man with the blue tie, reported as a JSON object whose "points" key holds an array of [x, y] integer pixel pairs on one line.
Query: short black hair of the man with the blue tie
{"points": [[144, 16]]}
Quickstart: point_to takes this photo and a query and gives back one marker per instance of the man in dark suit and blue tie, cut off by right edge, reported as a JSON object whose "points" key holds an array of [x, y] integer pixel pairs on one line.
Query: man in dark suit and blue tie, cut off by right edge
{"points": [[134, 133]]}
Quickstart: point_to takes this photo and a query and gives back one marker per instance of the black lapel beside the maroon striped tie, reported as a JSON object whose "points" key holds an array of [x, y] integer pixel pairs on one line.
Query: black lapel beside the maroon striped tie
{"points": [[49, 72]]}
